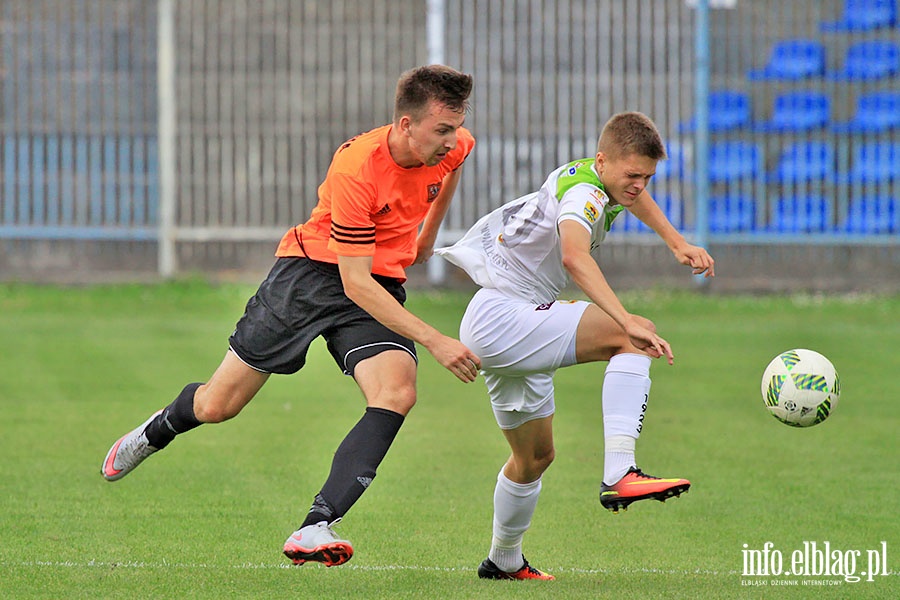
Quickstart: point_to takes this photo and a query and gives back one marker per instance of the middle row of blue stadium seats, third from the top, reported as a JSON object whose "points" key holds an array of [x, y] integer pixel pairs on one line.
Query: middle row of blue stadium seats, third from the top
{"points": [[729, 110]]}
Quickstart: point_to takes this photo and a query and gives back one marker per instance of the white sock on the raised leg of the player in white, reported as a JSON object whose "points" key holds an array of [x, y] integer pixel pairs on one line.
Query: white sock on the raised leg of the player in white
{"points": [[626, 390]]}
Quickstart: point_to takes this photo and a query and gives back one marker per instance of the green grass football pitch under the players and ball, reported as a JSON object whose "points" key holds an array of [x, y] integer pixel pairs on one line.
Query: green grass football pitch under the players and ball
{"points": [[207, 517]]}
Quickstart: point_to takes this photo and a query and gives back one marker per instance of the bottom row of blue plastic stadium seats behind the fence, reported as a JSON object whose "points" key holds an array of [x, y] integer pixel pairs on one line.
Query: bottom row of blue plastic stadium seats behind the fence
{"points": [[866, 215]]}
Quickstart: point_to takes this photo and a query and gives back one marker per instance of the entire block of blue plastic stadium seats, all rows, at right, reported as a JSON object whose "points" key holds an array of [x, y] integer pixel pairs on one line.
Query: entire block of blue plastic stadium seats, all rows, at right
{"points": [[867, 195]]}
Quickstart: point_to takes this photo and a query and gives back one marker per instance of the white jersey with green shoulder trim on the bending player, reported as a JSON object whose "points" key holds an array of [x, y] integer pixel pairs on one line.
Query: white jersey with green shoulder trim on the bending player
{"points": [[515, 248]]}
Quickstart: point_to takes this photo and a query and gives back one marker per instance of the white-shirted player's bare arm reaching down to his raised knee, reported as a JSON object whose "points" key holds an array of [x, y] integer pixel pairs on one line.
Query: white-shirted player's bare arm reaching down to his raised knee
{"points": [[575, 244]]}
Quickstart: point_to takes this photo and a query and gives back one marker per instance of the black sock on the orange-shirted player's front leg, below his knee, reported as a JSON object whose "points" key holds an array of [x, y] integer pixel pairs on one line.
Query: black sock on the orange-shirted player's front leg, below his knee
{"points": [[354, 464]]}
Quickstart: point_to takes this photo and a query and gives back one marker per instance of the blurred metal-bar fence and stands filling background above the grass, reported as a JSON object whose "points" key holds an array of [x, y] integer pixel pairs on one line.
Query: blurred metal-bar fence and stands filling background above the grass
{"points": [[140, 138]]}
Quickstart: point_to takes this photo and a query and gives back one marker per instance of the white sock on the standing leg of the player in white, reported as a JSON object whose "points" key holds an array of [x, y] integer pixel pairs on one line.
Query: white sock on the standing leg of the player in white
{"points": [[514, 504]]}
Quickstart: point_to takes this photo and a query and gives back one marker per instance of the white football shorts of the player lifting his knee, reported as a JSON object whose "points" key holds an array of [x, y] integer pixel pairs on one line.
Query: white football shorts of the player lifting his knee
{"points": [[521, 345]]}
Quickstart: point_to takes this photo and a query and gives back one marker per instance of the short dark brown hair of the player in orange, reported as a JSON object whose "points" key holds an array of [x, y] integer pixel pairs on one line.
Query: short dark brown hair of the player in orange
{"points": [[417, 87]]}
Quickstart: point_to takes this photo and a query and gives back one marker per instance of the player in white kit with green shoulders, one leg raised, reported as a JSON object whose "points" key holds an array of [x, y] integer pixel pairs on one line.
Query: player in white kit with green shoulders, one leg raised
{"points": [[522, 255]]}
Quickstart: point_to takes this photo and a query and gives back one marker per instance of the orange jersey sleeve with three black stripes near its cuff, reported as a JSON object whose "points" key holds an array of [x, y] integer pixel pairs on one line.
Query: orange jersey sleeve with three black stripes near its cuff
{"points": [[352, 228]]}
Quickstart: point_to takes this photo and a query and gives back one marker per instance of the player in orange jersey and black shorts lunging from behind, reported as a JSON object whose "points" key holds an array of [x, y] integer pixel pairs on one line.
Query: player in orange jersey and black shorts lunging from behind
{"points": [[340, 275]]}
